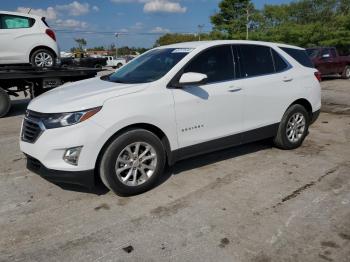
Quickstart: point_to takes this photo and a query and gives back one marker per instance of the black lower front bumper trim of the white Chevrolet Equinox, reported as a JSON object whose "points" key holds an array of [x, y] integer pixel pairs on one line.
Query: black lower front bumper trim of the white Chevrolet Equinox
{"points": [[82, 178]]}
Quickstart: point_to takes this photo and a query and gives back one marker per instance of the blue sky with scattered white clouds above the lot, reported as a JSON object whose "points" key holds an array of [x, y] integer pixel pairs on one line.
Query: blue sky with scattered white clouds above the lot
{"points": [[138, 22]]}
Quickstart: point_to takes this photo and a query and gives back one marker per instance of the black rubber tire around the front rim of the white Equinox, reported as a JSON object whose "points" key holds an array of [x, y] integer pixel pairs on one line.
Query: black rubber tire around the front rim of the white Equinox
{"points": [[107, 166]]}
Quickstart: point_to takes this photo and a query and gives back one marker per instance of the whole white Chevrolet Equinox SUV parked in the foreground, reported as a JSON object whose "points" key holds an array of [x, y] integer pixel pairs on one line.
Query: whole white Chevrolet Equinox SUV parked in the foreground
{"points": [[171, 103]]}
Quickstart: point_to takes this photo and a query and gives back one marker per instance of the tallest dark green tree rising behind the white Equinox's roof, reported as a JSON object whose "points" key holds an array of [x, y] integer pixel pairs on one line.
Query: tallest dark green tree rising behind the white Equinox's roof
{"points": [[234, 18]]}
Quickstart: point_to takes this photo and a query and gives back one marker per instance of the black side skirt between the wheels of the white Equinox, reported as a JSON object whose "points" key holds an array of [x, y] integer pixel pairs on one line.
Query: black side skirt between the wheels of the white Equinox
{"points": [[222, 143]]}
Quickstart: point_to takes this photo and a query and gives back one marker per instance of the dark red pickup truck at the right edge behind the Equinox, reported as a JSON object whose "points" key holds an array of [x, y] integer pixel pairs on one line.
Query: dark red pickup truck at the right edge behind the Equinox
{"points": [[329, 62]]}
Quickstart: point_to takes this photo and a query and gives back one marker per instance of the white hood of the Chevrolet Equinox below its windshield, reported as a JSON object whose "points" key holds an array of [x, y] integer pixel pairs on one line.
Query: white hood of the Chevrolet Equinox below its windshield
{"points": [[81, 95]]}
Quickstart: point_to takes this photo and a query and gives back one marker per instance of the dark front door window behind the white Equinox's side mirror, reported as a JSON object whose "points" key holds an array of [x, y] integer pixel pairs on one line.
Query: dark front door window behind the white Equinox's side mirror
{"points": [[216, 63]]}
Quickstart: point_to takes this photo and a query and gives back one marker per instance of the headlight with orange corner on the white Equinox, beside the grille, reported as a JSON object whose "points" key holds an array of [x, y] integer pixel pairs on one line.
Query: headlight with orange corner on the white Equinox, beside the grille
{"points": [[68, 119]]}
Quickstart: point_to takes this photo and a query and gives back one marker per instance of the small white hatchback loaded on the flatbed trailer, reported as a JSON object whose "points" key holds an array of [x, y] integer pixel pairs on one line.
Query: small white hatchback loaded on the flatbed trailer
{"points": [[26, 39]]}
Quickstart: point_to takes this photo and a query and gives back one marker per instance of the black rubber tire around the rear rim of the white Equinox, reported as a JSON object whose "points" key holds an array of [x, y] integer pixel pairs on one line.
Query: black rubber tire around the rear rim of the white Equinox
{"points": [[281, 140]]}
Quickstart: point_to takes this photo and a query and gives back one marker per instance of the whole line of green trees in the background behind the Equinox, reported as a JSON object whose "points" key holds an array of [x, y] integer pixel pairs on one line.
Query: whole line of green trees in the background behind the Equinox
{"points": [[304, 23]]}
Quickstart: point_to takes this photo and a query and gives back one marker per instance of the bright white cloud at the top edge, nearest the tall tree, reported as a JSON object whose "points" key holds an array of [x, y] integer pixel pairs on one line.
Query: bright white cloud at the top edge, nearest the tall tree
{"points": [[157, 6]]}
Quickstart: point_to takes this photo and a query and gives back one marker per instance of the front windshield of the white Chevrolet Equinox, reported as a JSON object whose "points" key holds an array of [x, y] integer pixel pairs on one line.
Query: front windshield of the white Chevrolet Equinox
{"points": [[148, 67]]}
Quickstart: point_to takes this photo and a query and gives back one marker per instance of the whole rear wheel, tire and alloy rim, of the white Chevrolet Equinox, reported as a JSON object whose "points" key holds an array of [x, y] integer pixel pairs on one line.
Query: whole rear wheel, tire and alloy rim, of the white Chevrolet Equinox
{"points": [[293, 128]]}
